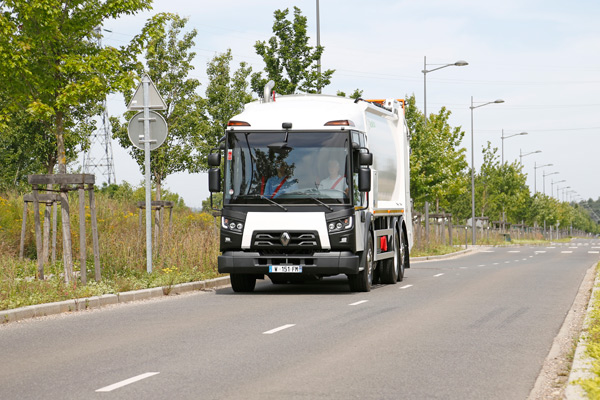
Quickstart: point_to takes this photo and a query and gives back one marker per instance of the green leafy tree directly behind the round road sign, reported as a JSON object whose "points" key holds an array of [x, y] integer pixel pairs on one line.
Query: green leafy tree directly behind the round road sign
{"points": [[168, 61]]}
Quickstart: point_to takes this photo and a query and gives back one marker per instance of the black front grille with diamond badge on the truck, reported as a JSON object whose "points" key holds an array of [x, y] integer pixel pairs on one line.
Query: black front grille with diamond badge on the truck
{"points": [[286, 240]]}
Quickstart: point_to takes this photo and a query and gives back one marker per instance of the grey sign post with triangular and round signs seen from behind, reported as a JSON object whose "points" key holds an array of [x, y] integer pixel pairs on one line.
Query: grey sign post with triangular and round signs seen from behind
{"points": [[146, 97]]}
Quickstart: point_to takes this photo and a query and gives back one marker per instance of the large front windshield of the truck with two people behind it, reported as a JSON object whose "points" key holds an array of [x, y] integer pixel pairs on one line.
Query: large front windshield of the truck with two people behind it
{"points": [[288, 168]]}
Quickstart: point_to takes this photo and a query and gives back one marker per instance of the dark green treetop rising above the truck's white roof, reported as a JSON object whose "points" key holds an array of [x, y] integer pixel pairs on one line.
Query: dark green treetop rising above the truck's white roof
{"points": [[289, 61]]}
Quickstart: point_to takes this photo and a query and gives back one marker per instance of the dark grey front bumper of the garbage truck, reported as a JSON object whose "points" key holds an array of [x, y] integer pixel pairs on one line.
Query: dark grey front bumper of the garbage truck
{"points": [[320, 263]]}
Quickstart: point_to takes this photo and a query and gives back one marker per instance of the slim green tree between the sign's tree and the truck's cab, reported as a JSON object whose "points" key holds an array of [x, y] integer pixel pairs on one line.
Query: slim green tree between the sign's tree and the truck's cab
{"points": [[226, 94]]}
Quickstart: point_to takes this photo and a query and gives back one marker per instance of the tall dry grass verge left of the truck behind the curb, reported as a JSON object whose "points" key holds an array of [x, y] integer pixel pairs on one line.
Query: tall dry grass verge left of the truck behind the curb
{"points": [[188, 252]]}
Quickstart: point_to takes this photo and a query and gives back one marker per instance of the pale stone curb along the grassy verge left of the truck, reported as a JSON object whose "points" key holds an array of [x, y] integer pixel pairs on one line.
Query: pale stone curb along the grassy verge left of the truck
{"points": [[42, 310]]}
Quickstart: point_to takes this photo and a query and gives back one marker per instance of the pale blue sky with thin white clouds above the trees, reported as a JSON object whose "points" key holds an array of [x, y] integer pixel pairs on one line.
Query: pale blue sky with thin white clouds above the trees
{"points": [[541, 57]]}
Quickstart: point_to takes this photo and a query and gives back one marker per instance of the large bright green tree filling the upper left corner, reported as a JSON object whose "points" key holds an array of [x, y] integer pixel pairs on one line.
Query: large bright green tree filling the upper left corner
{"points": [[55, 70]]}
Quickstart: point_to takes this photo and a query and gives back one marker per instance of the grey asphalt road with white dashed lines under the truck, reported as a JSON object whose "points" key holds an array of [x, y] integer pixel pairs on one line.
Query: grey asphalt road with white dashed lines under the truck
{"points": [[474, 327]]}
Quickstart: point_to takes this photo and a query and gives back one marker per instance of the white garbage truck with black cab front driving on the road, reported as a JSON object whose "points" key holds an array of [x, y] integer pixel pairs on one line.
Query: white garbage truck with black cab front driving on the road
{"points": [[314, 186]]}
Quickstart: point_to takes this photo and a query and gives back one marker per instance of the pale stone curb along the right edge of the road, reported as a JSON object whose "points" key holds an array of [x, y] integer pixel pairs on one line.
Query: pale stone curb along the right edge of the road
{"points": [[582, 363]]}
